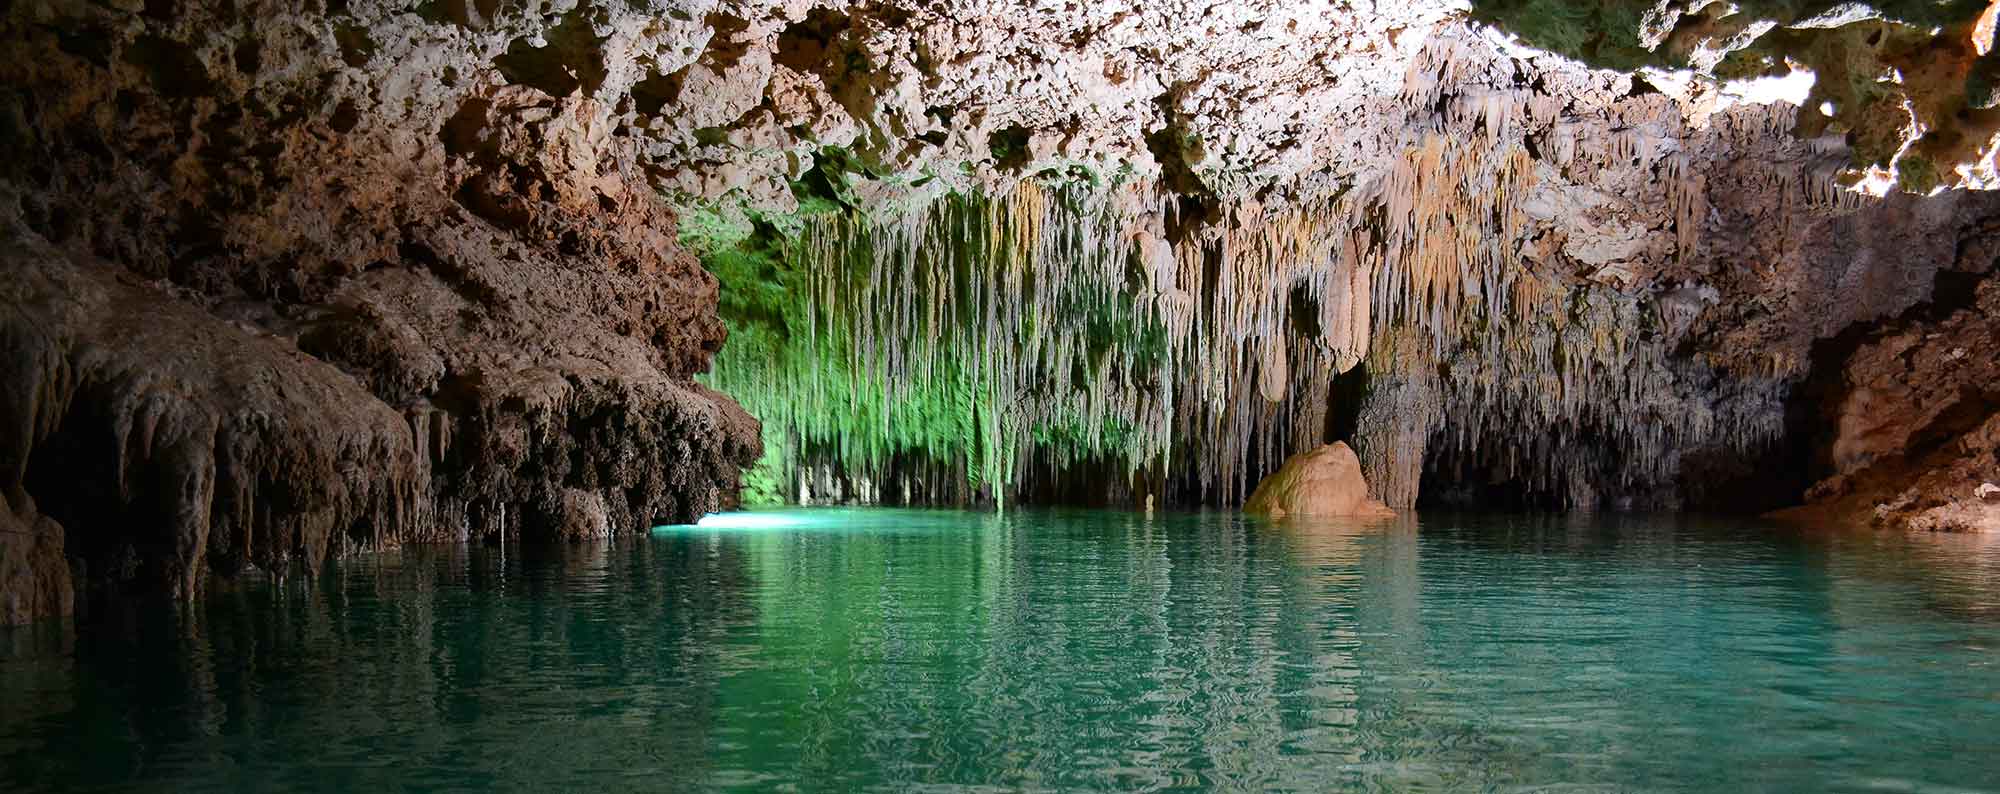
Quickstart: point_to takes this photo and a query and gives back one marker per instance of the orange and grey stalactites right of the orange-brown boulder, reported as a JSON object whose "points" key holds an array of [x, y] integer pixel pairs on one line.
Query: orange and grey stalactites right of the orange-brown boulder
{"points": [[1497, 369]]}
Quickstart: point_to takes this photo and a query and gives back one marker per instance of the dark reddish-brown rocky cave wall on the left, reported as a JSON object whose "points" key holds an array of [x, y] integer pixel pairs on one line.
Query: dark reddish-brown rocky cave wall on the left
{"points": [[287, 281]]}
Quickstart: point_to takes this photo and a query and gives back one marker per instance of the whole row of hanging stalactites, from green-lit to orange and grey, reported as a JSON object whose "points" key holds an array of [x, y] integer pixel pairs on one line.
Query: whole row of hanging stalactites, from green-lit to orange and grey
{"points": [[1071, 323]]}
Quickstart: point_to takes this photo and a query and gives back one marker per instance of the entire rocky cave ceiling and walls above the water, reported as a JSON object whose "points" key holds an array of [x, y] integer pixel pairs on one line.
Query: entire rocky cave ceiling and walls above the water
{"points": [[301, 277]]}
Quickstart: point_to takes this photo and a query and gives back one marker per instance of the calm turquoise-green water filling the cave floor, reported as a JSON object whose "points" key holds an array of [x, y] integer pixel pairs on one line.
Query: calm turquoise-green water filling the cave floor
{"points": [[1053, 651]]}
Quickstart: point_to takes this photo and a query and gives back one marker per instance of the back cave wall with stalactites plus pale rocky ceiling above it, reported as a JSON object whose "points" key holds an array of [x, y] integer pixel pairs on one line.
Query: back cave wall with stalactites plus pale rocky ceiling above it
{"points": [[1557, 285]]}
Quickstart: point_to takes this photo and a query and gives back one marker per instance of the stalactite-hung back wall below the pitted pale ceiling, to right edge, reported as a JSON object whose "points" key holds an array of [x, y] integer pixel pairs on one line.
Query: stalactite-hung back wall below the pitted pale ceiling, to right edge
{"points": [[1555, 281]]}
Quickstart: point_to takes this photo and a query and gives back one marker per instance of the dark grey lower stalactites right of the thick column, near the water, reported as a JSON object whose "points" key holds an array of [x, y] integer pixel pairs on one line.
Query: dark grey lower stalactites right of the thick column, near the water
{"points": [[1583, 403]]}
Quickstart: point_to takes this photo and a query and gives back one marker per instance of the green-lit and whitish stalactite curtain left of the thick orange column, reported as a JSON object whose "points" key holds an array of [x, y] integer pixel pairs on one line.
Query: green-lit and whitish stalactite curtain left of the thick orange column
{"points": [[1119, 345]]}
